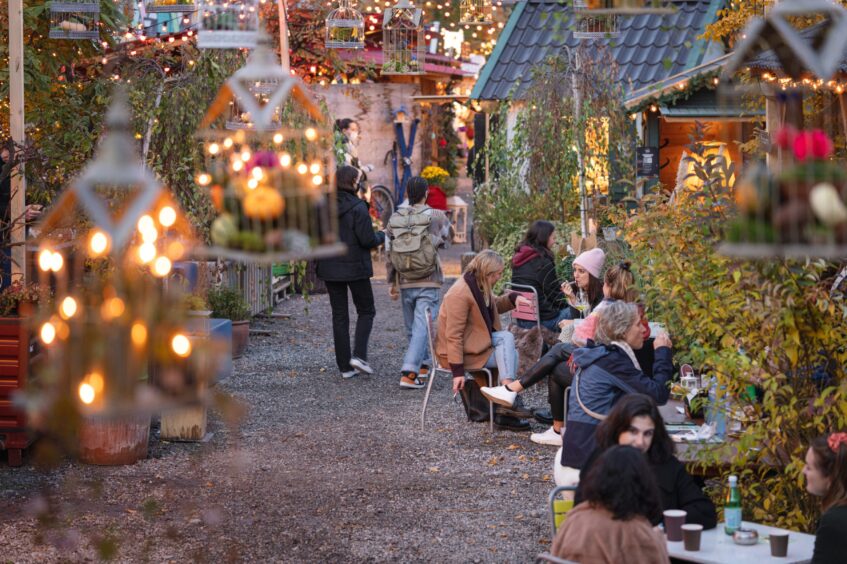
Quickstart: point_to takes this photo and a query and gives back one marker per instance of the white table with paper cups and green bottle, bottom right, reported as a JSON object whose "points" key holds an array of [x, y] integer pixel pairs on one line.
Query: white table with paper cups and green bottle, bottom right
{"points": [[716, 547]]}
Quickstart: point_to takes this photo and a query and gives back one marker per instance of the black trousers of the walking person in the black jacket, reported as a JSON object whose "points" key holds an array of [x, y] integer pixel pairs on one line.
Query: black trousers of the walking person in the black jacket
{"points": [[365, 311]]}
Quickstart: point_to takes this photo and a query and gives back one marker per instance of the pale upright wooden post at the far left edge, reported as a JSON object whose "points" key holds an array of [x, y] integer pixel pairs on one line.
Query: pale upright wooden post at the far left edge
{"points": [[16, 126]]}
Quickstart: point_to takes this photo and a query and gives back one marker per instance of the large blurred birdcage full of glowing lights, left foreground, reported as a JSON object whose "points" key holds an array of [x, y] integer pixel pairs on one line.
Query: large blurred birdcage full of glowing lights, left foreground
{"points": [[105, 248]]}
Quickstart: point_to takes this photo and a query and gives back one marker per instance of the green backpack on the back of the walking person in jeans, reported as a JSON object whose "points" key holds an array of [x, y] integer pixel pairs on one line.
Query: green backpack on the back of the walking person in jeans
{"points": [[412, 253]]}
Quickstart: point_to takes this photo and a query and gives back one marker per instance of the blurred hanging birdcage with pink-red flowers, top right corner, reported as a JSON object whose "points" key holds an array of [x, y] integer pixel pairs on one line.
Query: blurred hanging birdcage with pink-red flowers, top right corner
{"points": [[795, 203]]}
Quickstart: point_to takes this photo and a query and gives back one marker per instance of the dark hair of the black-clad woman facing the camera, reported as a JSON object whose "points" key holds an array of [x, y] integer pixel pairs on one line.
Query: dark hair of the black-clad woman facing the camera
{"points": [[620, 418]]}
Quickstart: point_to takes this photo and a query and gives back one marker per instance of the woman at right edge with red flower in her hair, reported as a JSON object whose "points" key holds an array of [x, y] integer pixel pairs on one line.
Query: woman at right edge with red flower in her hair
{"points": [[826, 477]]}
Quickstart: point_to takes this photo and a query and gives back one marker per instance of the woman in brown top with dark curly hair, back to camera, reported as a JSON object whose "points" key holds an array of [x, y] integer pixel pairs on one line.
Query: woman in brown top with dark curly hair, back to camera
{"points": [[614, 523]]}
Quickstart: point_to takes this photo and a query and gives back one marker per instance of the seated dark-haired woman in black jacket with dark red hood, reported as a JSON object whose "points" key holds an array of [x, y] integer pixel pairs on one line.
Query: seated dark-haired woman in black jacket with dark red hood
{"points": [[533, 265]]}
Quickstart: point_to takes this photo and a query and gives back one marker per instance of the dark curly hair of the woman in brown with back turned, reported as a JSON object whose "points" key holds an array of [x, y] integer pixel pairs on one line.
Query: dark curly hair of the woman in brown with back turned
{"points": [[621, 482]]}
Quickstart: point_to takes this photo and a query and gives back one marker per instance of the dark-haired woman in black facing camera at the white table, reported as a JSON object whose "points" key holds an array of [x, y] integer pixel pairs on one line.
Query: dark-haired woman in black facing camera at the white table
{"points": [[635, 421]]}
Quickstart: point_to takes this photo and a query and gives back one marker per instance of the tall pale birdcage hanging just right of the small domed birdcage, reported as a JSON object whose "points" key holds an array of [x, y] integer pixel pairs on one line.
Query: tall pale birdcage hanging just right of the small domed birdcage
{"points": [[403, 44]]}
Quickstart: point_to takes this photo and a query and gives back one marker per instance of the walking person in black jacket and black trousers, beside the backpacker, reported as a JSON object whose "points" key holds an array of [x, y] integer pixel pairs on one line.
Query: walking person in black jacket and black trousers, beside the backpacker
{"points": [[353, 270]]}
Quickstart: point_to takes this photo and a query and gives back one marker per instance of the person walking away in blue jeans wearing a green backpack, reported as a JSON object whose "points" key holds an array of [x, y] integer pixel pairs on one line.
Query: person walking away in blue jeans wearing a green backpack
{"points": [[415, 233]]}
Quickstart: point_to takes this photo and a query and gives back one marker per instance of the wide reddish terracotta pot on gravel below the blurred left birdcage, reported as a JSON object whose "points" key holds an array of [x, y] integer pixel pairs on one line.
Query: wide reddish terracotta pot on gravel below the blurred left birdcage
{"points": [[114, 440]]}
